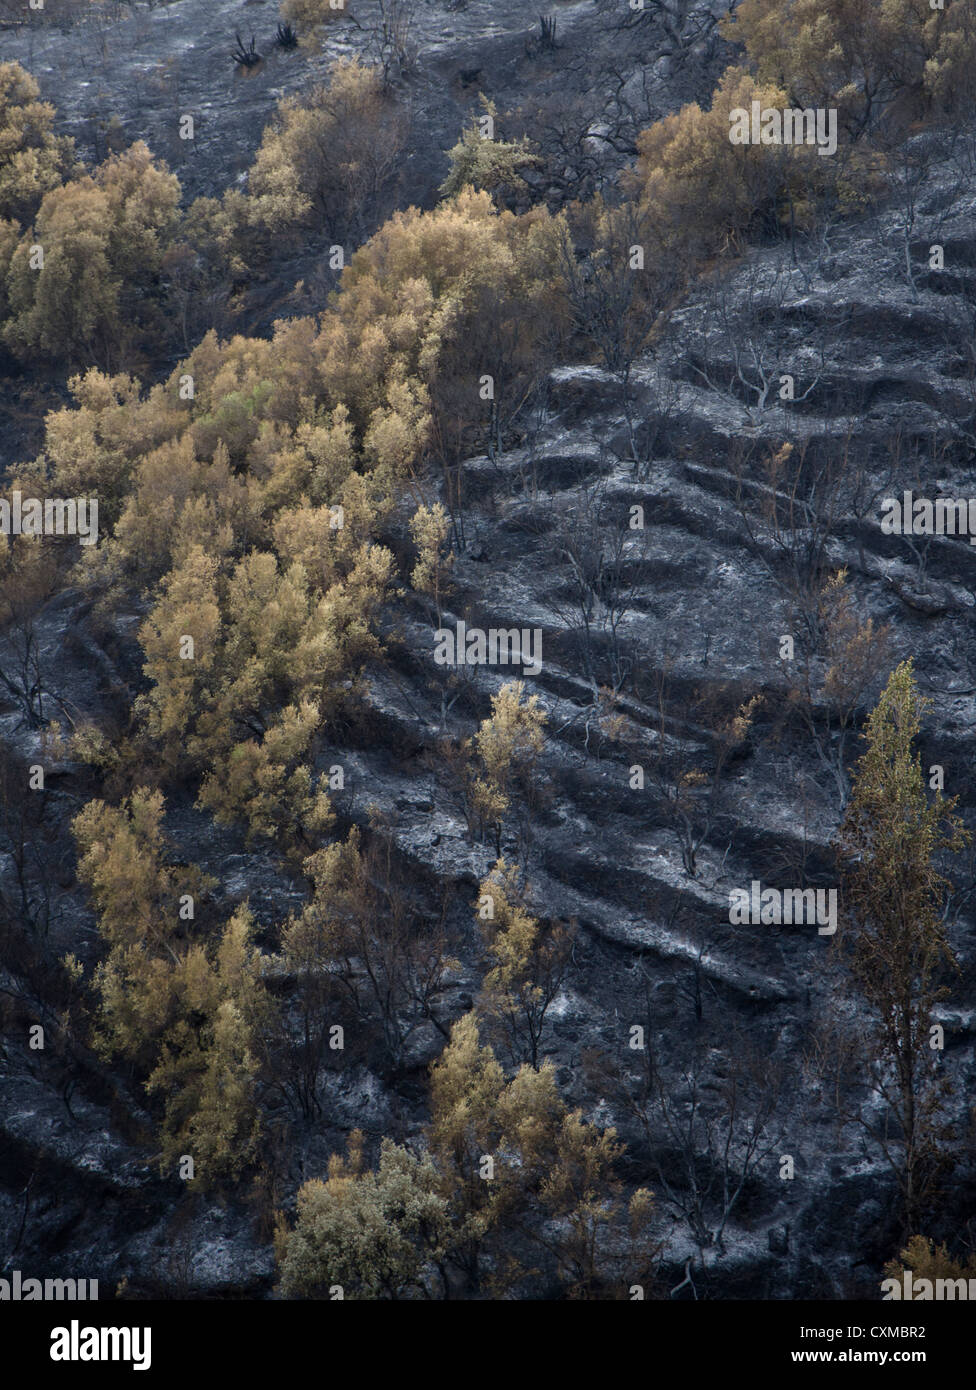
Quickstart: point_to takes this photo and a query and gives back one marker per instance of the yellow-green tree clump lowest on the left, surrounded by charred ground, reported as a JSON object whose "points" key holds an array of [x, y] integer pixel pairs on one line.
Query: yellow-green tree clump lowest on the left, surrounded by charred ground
{"points": [[186, 1017]]}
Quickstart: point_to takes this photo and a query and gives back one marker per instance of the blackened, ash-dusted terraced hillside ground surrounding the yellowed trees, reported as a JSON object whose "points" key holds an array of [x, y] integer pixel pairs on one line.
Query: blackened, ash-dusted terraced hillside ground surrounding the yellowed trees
{"points": [[674, 534]]}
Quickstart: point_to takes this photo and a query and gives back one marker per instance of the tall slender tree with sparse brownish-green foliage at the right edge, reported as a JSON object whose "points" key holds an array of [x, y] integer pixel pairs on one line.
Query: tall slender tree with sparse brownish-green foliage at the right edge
{"points": [[893, 938]]}
